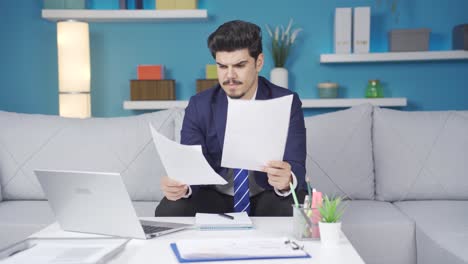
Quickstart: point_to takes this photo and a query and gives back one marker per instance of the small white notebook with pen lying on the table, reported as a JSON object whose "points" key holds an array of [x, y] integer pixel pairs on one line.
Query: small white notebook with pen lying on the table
{"points": [[219, 221]]}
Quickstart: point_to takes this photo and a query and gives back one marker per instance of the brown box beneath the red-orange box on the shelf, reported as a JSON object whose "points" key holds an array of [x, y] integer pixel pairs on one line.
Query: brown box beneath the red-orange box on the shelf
{"points": [[152, 90]]}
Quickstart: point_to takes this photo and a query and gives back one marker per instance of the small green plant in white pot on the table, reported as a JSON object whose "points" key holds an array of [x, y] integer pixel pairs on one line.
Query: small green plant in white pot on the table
{"points": [[330, 221]]}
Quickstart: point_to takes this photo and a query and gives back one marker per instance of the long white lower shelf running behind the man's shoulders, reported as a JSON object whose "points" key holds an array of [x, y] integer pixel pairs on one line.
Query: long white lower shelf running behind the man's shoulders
{"points": [[306, 103]]}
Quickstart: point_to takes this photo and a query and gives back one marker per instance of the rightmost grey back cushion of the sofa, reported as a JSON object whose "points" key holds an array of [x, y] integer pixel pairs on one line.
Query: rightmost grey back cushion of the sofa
{"points": [[420, 155]]}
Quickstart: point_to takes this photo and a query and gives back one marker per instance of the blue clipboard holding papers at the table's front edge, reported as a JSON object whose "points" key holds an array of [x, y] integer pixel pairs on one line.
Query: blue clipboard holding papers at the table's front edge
{"points": [[220, 256]]}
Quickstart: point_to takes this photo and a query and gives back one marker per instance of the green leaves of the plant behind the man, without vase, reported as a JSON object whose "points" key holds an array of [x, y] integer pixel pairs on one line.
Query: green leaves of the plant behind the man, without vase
{"points": [[282, 39]]}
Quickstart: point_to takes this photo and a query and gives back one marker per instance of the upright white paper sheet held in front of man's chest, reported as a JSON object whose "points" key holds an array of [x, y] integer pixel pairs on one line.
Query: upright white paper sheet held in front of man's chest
{"points": [[256, 132]]}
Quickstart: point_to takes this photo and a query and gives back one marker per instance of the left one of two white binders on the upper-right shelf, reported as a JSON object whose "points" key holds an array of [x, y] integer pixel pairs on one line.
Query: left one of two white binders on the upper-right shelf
{"points": [[343, 24]]}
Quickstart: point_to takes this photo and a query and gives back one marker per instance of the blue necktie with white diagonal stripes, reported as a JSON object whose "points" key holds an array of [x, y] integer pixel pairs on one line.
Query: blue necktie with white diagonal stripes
{"points": [[241, 191]]}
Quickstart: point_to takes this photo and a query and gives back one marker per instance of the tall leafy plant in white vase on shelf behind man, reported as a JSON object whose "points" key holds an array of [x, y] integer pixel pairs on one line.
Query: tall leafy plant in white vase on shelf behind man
{"points": [[282, 39]]}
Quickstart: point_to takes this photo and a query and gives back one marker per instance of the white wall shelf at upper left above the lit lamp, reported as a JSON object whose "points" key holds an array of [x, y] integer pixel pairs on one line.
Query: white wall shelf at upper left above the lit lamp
{"points": [[89, 15]]}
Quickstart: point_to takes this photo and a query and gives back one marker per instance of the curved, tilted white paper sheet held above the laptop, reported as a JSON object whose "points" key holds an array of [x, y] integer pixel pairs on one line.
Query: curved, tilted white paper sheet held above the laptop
{"points": [[183, 163]]}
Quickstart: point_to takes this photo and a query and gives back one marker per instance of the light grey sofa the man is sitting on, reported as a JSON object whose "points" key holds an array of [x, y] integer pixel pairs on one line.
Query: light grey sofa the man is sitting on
{"points": [[405, 174]]}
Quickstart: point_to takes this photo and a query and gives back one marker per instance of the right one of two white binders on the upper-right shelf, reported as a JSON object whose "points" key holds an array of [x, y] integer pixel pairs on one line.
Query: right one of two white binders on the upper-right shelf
{"points": [[361, 30]]}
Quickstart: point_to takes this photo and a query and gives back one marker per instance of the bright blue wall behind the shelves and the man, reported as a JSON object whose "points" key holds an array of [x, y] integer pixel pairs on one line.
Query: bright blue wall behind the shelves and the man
{"points": [[28, 53]]}
